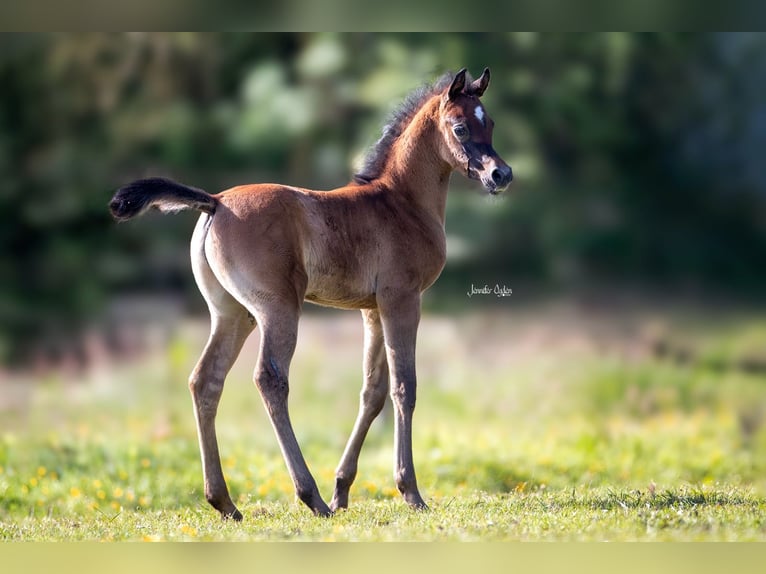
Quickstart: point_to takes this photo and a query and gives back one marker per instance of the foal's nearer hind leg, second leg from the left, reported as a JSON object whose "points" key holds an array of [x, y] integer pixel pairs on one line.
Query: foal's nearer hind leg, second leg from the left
{"points": [[279, 329]]}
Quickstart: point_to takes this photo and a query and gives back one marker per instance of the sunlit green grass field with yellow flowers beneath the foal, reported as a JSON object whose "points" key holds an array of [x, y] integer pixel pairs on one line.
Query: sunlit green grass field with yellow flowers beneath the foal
{"points": [[556, 422]]}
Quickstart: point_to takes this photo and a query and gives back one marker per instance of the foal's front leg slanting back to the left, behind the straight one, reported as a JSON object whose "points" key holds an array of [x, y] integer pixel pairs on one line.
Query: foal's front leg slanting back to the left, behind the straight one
{"points": [[371, 401]]}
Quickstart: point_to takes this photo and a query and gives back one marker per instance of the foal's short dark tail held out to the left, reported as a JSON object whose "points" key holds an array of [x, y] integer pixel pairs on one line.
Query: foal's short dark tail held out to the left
{"points": [[159, 193]]}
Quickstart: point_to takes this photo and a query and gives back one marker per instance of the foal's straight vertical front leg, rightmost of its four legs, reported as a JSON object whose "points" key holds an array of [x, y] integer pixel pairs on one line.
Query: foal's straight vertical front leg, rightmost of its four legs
{"points": [[400, 315]]}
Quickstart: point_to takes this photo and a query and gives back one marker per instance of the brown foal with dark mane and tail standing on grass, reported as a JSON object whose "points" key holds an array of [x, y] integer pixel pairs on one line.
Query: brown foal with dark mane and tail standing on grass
{"points": [[258, 251]]}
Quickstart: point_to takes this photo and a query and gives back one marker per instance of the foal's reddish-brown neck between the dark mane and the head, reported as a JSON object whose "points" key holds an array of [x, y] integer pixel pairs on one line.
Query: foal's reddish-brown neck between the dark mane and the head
{"points": [[416, 169]]}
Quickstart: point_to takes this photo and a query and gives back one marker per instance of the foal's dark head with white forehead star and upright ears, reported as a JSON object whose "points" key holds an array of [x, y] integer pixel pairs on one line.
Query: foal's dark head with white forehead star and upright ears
{"points": [[467, 132]]}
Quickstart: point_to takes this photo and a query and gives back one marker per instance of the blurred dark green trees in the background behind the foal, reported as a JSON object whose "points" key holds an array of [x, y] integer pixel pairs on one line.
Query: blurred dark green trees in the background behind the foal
{"points": [[637, 157]]}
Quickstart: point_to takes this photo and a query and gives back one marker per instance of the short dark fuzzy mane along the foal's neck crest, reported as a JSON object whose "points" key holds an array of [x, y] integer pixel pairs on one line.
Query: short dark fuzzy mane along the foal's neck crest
{"points": [[375, 159]]}
